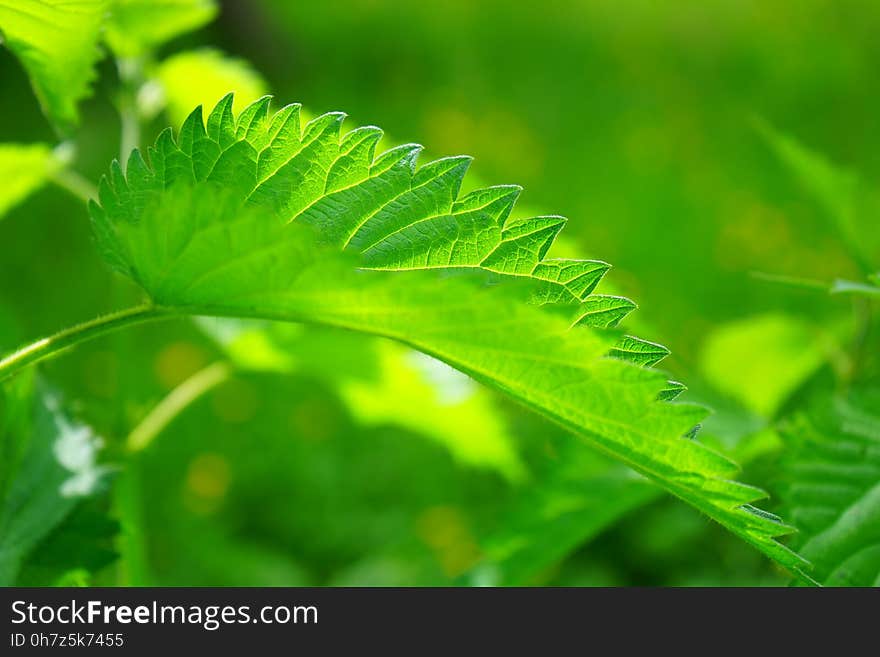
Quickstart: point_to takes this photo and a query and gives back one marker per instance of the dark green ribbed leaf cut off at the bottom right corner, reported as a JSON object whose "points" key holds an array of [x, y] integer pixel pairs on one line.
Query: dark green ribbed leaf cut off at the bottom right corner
{"points": [[831, 489]]}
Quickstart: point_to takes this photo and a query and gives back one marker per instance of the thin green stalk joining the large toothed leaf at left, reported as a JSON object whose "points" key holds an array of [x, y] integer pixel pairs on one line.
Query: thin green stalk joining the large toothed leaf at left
{"points": [[52, 345]]}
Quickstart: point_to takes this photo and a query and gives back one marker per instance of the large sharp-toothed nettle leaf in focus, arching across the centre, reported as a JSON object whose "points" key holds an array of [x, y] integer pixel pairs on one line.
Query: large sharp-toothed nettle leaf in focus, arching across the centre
{"points": [[260, 216]]}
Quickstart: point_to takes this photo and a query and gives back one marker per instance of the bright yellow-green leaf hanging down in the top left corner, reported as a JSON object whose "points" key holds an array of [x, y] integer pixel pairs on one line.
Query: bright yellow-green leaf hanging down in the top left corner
{"points": [[57, 42]]}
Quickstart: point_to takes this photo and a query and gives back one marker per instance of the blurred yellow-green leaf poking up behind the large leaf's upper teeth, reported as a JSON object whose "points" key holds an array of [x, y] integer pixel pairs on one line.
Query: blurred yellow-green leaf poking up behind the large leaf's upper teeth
{"points": [[203, 77]]}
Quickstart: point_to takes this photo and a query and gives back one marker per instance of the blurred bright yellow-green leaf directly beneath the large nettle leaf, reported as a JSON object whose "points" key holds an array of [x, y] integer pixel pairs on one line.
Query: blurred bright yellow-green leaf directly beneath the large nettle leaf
{"points": [[381, 383]]}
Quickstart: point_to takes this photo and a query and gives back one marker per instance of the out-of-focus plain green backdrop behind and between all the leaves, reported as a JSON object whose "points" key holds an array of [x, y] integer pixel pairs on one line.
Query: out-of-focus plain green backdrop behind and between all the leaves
{"points": [[636, 120]]}
